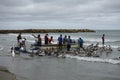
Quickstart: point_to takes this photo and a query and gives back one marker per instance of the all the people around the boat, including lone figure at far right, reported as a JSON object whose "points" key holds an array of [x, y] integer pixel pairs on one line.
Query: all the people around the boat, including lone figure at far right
{"points": [[61, 41]]}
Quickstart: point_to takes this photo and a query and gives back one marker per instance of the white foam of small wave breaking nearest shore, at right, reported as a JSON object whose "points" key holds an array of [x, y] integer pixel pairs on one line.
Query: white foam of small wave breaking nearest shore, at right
{"points": [[92, 59]]}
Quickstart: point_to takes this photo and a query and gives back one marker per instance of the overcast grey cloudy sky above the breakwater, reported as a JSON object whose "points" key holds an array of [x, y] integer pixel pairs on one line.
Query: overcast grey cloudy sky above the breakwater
{"points": [[60, 14]]}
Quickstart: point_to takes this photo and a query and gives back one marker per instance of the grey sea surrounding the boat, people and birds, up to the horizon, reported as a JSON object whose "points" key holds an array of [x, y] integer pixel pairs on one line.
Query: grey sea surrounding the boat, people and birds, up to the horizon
{"points": [[70, 68]]}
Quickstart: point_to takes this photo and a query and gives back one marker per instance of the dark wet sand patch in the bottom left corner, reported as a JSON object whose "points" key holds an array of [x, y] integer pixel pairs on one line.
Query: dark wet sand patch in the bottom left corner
{"points": [[5, 74]]}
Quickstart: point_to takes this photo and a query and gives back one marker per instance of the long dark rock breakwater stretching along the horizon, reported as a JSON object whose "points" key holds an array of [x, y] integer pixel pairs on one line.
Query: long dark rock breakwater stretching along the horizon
{"points": [[46, 31]]}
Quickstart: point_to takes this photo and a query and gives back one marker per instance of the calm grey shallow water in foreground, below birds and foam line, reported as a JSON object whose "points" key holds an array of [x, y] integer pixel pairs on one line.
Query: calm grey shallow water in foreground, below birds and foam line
{"points": [[50, 68]]}
